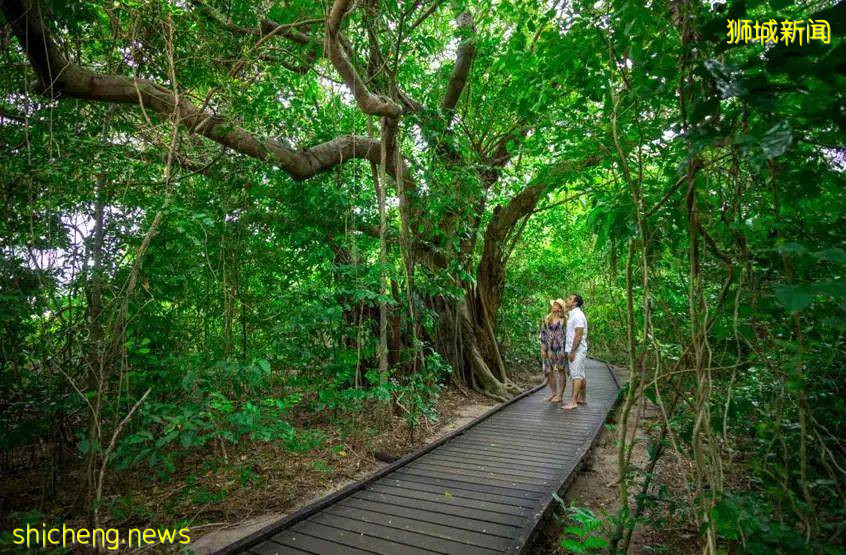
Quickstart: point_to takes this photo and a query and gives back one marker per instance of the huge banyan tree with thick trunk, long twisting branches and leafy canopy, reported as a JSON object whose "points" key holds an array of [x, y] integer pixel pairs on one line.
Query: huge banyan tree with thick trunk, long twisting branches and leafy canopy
{"points": [[442, 112]]}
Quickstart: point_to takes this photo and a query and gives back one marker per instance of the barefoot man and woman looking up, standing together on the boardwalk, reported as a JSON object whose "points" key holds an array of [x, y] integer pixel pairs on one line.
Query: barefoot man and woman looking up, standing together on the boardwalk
{"points": [[564, 349]]}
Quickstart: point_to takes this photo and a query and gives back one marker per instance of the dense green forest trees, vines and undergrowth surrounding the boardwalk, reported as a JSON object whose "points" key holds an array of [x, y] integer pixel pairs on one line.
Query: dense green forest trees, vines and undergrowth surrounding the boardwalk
{"points": [[221, 215]]}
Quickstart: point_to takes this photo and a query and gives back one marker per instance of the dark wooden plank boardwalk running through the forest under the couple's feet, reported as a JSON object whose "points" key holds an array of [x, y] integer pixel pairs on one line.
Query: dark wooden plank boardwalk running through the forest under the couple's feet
{"points": [[482, 489]]}
